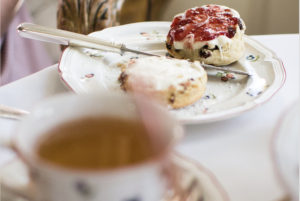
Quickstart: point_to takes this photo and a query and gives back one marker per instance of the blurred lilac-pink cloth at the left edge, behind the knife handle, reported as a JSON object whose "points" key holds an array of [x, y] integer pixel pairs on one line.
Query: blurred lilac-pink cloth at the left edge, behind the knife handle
{"points": [[19, 56]]}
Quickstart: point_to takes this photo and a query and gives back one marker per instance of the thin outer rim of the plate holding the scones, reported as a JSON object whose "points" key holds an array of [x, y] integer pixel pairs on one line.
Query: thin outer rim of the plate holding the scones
{"points": [[275, 86]]}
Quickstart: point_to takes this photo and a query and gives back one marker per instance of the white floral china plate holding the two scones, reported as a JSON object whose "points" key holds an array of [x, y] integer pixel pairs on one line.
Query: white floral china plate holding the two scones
{"points": [[85, 70]]}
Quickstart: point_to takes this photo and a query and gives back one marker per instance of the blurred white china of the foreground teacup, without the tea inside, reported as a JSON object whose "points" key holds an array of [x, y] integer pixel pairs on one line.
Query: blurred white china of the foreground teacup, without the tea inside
{"points": [[144, 180]]}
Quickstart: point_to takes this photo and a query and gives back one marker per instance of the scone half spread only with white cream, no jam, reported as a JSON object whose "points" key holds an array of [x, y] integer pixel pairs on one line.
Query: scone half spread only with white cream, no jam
{"points": [[175, 82]]}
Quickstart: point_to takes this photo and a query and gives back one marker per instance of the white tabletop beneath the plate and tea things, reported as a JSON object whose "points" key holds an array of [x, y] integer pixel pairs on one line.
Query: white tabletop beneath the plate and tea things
{"points": [[237, 151]]}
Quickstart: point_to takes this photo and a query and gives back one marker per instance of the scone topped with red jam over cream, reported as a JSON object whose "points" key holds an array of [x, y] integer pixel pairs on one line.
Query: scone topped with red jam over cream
{"points": [[211, 34]]}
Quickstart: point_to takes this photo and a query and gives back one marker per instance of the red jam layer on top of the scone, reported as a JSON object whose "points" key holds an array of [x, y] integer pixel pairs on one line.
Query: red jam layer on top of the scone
{"points": [[204, 23]]}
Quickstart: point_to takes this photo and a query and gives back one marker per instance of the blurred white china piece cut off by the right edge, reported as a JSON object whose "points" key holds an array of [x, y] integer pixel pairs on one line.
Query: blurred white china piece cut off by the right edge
{"points": [[286, 149]]}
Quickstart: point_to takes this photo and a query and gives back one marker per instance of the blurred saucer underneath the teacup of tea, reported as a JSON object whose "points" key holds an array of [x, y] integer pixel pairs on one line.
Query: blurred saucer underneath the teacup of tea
{"points": [[194, 182]]}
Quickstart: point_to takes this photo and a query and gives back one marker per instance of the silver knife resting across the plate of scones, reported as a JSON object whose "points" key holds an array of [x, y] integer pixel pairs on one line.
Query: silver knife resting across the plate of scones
{"points": [[62, 37]]}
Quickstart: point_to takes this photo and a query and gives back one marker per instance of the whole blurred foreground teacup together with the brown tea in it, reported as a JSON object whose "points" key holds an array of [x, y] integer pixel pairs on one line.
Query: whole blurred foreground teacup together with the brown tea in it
{"points": [[98, 147]]}
